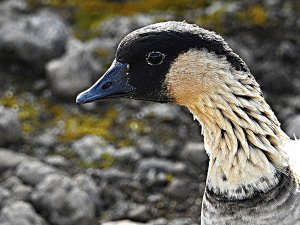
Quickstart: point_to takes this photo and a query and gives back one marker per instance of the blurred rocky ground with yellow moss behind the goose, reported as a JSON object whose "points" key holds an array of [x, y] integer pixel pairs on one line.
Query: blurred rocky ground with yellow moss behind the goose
{"points": [[119, 162]]}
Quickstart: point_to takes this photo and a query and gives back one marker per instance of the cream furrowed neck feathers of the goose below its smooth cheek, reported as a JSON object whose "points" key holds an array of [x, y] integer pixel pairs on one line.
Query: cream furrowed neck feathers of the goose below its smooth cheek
{"points": [[243, 139]]}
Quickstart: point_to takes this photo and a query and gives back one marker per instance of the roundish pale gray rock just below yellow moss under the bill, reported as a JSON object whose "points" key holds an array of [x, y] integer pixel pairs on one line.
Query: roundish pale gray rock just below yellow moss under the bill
{"points": [[90, 148]]}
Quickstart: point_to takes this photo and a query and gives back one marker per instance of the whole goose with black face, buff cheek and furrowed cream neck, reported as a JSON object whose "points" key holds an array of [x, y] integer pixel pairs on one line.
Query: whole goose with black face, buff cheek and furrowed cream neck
{"points": [[250, 177]]}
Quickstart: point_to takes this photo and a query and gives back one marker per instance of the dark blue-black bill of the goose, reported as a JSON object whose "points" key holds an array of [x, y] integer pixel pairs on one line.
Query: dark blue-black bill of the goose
{"points": [[113, 84]]}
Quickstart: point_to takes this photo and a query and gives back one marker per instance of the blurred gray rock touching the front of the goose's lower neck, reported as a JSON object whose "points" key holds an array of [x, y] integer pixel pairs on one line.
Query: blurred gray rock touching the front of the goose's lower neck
{"points": [[195, 154]]}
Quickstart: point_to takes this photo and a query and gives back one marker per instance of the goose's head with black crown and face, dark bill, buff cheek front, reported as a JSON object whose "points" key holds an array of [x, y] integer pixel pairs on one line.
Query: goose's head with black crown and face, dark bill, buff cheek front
{"points": [[156, 63]]}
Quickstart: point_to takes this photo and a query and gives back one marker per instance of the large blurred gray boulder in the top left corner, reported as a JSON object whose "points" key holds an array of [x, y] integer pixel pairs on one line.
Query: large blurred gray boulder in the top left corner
{"points": [[34, 39]]}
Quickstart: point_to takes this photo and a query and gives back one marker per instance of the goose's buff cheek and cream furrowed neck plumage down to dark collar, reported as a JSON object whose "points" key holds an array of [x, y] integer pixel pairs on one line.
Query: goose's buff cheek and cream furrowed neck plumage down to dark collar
{"points": [[242, 135]]}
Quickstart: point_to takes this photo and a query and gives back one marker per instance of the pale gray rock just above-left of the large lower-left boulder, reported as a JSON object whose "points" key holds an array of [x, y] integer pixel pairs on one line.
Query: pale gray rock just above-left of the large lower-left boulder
{"points": [[34, 172]]}
